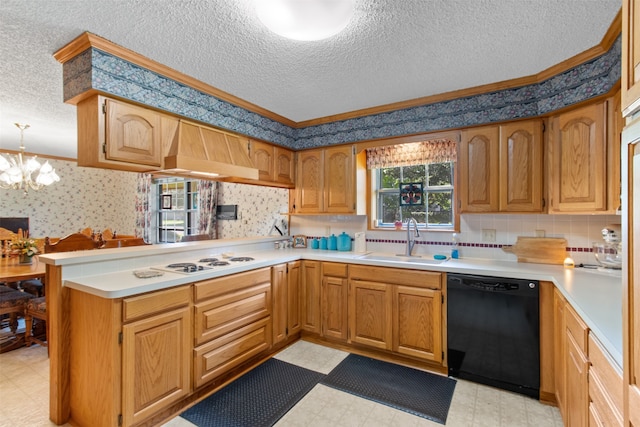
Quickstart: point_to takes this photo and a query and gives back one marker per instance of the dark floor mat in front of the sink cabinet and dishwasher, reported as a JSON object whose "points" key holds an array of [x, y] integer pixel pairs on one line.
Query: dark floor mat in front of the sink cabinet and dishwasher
{"points": [[417, 392]]}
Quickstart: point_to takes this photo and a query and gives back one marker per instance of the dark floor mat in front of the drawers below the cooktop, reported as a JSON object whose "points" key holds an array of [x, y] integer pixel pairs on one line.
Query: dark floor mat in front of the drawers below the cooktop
{"points": [[258, 398]]}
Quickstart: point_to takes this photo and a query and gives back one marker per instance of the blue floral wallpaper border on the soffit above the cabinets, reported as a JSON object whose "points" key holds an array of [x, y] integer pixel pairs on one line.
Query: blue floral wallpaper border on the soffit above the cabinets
{"points": [[95, 69]]}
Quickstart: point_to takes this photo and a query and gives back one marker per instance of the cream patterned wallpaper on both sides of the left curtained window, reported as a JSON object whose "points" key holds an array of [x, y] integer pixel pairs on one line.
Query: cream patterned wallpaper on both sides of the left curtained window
{"points": [[102, 198]]}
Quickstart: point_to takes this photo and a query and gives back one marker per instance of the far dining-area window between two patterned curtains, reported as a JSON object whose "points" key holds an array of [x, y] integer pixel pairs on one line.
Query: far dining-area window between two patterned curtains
{"points": [[177, 207]]}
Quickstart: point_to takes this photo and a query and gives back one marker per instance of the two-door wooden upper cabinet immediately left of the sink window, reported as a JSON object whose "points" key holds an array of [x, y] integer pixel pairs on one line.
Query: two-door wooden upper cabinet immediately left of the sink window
{"points": [[326, 181]]}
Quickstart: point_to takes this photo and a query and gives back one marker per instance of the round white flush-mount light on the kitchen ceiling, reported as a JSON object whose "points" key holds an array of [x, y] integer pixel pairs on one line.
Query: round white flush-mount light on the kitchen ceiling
{"points": [[305, 20]]}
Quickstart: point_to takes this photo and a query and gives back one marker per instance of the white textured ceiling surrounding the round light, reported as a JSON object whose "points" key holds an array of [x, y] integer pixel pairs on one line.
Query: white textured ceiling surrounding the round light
{"points": [[393, 50]]}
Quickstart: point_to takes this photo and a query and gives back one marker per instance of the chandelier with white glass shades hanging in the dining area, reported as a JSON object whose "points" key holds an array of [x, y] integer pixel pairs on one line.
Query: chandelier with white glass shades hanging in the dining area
{"points": [[16, 171]]}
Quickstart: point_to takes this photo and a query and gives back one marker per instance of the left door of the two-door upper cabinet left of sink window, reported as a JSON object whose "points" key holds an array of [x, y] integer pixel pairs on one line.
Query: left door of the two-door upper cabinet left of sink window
{"points": [[310, 184]]}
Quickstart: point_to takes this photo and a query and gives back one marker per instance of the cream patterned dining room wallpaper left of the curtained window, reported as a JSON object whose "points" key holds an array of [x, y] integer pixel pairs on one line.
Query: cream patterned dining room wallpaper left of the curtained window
{"points": [[84, 197]]}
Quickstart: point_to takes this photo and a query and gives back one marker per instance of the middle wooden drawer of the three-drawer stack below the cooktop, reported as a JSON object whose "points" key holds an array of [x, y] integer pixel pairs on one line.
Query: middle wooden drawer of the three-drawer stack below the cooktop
{"points": [[225, 313]]}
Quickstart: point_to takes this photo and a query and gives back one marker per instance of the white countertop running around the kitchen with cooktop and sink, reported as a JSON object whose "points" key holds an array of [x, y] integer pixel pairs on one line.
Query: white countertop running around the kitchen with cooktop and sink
{"points": [[596, 296]]}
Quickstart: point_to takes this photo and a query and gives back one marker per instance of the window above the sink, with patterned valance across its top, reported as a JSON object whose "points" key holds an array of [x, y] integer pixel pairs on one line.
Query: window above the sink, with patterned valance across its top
{"points": [[429, 163]]}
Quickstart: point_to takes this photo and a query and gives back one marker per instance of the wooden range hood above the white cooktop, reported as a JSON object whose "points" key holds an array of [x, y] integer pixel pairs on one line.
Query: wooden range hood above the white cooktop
{"points": [[202, 152]]}
